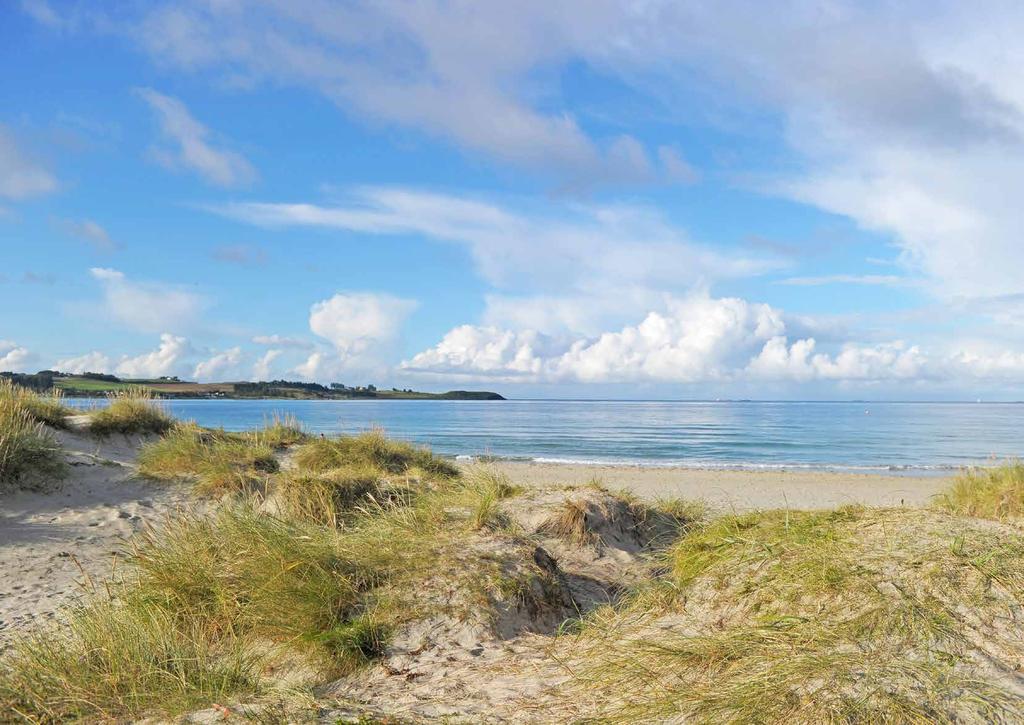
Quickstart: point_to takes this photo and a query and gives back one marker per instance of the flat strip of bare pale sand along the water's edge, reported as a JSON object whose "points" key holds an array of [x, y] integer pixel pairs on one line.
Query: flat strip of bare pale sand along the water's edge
{"points": [[737, 490]]}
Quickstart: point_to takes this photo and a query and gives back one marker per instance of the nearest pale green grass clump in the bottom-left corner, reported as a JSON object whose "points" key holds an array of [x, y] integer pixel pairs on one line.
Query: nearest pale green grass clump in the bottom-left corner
{"points": [[117, 660]]}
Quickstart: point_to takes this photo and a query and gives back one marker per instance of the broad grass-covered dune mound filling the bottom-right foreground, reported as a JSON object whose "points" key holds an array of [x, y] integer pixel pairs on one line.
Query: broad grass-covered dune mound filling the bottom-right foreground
{"points": [[854, 615]]}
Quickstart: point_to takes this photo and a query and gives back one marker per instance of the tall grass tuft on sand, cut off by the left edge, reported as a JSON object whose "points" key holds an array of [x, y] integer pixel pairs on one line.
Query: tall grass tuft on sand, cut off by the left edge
{"points": [[28, 451]]}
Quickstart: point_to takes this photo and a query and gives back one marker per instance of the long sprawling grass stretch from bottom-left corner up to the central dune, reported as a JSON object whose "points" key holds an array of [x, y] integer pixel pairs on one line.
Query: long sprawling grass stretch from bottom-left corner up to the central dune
{"points": [[215, 608]]}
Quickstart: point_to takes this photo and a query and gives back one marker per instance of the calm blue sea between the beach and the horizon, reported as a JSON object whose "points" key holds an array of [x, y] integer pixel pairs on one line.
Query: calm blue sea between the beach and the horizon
{"points": [[912, 438]]}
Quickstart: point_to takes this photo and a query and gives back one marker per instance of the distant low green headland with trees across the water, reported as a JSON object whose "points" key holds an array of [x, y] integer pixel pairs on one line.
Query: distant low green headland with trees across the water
{"points": [[99, 385]]}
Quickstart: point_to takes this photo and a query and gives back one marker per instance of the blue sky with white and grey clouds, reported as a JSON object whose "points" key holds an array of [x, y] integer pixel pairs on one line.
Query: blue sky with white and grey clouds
{"points": [[584, 199]]}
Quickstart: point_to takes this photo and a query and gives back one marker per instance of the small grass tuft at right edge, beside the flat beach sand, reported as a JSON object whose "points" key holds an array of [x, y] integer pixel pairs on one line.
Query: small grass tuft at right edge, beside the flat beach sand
{"points": [[988, 493]]}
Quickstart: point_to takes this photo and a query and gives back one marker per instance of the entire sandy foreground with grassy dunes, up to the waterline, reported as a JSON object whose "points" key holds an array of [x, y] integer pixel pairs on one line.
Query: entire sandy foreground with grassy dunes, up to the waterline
{"points": [[418, 587]]}
